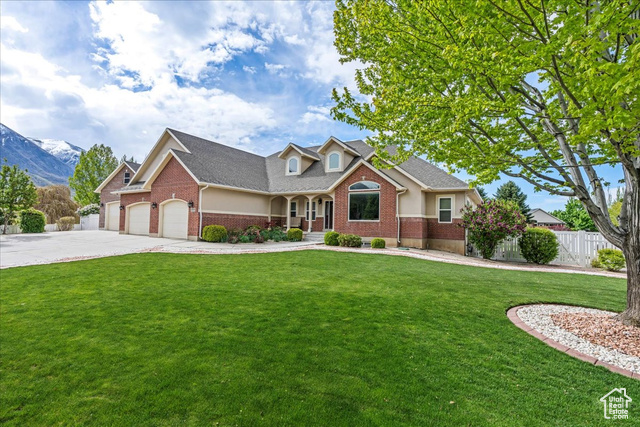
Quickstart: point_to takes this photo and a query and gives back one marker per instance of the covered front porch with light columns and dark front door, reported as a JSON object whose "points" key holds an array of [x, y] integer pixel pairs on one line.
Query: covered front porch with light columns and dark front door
{"points": [[309, 212]]}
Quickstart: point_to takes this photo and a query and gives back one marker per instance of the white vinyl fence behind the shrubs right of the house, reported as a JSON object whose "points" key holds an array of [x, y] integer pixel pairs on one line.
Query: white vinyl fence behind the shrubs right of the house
{"points": [[575, 248]]}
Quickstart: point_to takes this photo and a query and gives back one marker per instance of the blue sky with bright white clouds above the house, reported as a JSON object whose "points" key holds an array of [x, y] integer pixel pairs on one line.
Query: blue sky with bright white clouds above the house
{"points": [[254, 75]]}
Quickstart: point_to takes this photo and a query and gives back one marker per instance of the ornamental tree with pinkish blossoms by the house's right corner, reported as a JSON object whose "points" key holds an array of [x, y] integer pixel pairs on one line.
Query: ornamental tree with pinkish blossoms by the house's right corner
{"points": [[492, 222]]}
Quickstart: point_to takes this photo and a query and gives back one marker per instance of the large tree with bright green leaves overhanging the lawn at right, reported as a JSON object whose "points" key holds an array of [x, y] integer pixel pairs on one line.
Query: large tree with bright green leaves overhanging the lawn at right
{"points": [[543, 91]]}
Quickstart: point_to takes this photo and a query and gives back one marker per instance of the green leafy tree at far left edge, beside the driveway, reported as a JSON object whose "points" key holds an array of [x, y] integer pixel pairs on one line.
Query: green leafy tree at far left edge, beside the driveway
{"points": [[17, 192]]}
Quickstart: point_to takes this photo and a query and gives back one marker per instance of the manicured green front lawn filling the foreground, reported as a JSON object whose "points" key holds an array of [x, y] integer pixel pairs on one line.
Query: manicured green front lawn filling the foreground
{"points": [[298, 338]]}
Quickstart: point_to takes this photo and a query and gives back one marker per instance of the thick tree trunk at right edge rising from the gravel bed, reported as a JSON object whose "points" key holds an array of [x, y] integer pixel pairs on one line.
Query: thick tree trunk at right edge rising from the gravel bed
{"points": [[631, 250]]}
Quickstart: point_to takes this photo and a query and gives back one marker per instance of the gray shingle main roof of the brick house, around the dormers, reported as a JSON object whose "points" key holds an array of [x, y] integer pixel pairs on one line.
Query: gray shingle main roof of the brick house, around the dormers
{"points": [[216, 163]]}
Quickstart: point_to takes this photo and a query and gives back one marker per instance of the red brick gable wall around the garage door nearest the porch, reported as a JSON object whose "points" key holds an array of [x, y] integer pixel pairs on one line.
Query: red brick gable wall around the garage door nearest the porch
{"points": [[174, 182]]}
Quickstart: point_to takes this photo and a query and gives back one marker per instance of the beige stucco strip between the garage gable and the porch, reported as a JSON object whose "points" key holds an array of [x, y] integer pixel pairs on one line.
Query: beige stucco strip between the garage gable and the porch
{"points": [[218, 200]]}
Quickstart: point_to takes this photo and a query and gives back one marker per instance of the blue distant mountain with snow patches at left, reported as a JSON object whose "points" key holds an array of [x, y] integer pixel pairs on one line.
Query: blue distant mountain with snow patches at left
{"points": [[48, 161]]}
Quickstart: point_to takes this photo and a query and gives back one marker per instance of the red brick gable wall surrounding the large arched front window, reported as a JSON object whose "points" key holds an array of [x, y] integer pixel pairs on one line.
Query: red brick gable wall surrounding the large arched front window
{"points": [[386, 227]]}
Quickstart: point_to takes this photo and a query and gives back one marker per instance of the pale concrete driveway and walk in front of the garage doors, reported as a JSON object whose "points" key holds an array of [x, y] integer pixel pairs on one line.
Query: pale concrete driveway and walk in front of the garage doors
{"points": [[30, 249]]}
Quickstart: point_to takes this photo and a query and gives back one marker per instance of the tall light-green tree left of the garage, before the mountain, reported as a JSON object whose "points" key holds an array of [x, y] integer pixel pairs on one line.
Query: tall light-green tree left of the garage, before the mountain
{"points": [[93, 167]]}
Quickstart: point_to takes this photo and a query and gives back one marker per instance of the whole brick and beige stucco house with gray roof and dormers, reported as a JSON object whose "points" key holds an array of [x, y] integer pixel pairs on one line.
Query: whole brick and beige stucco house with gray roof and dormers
{"points": [[186, 183]]}
